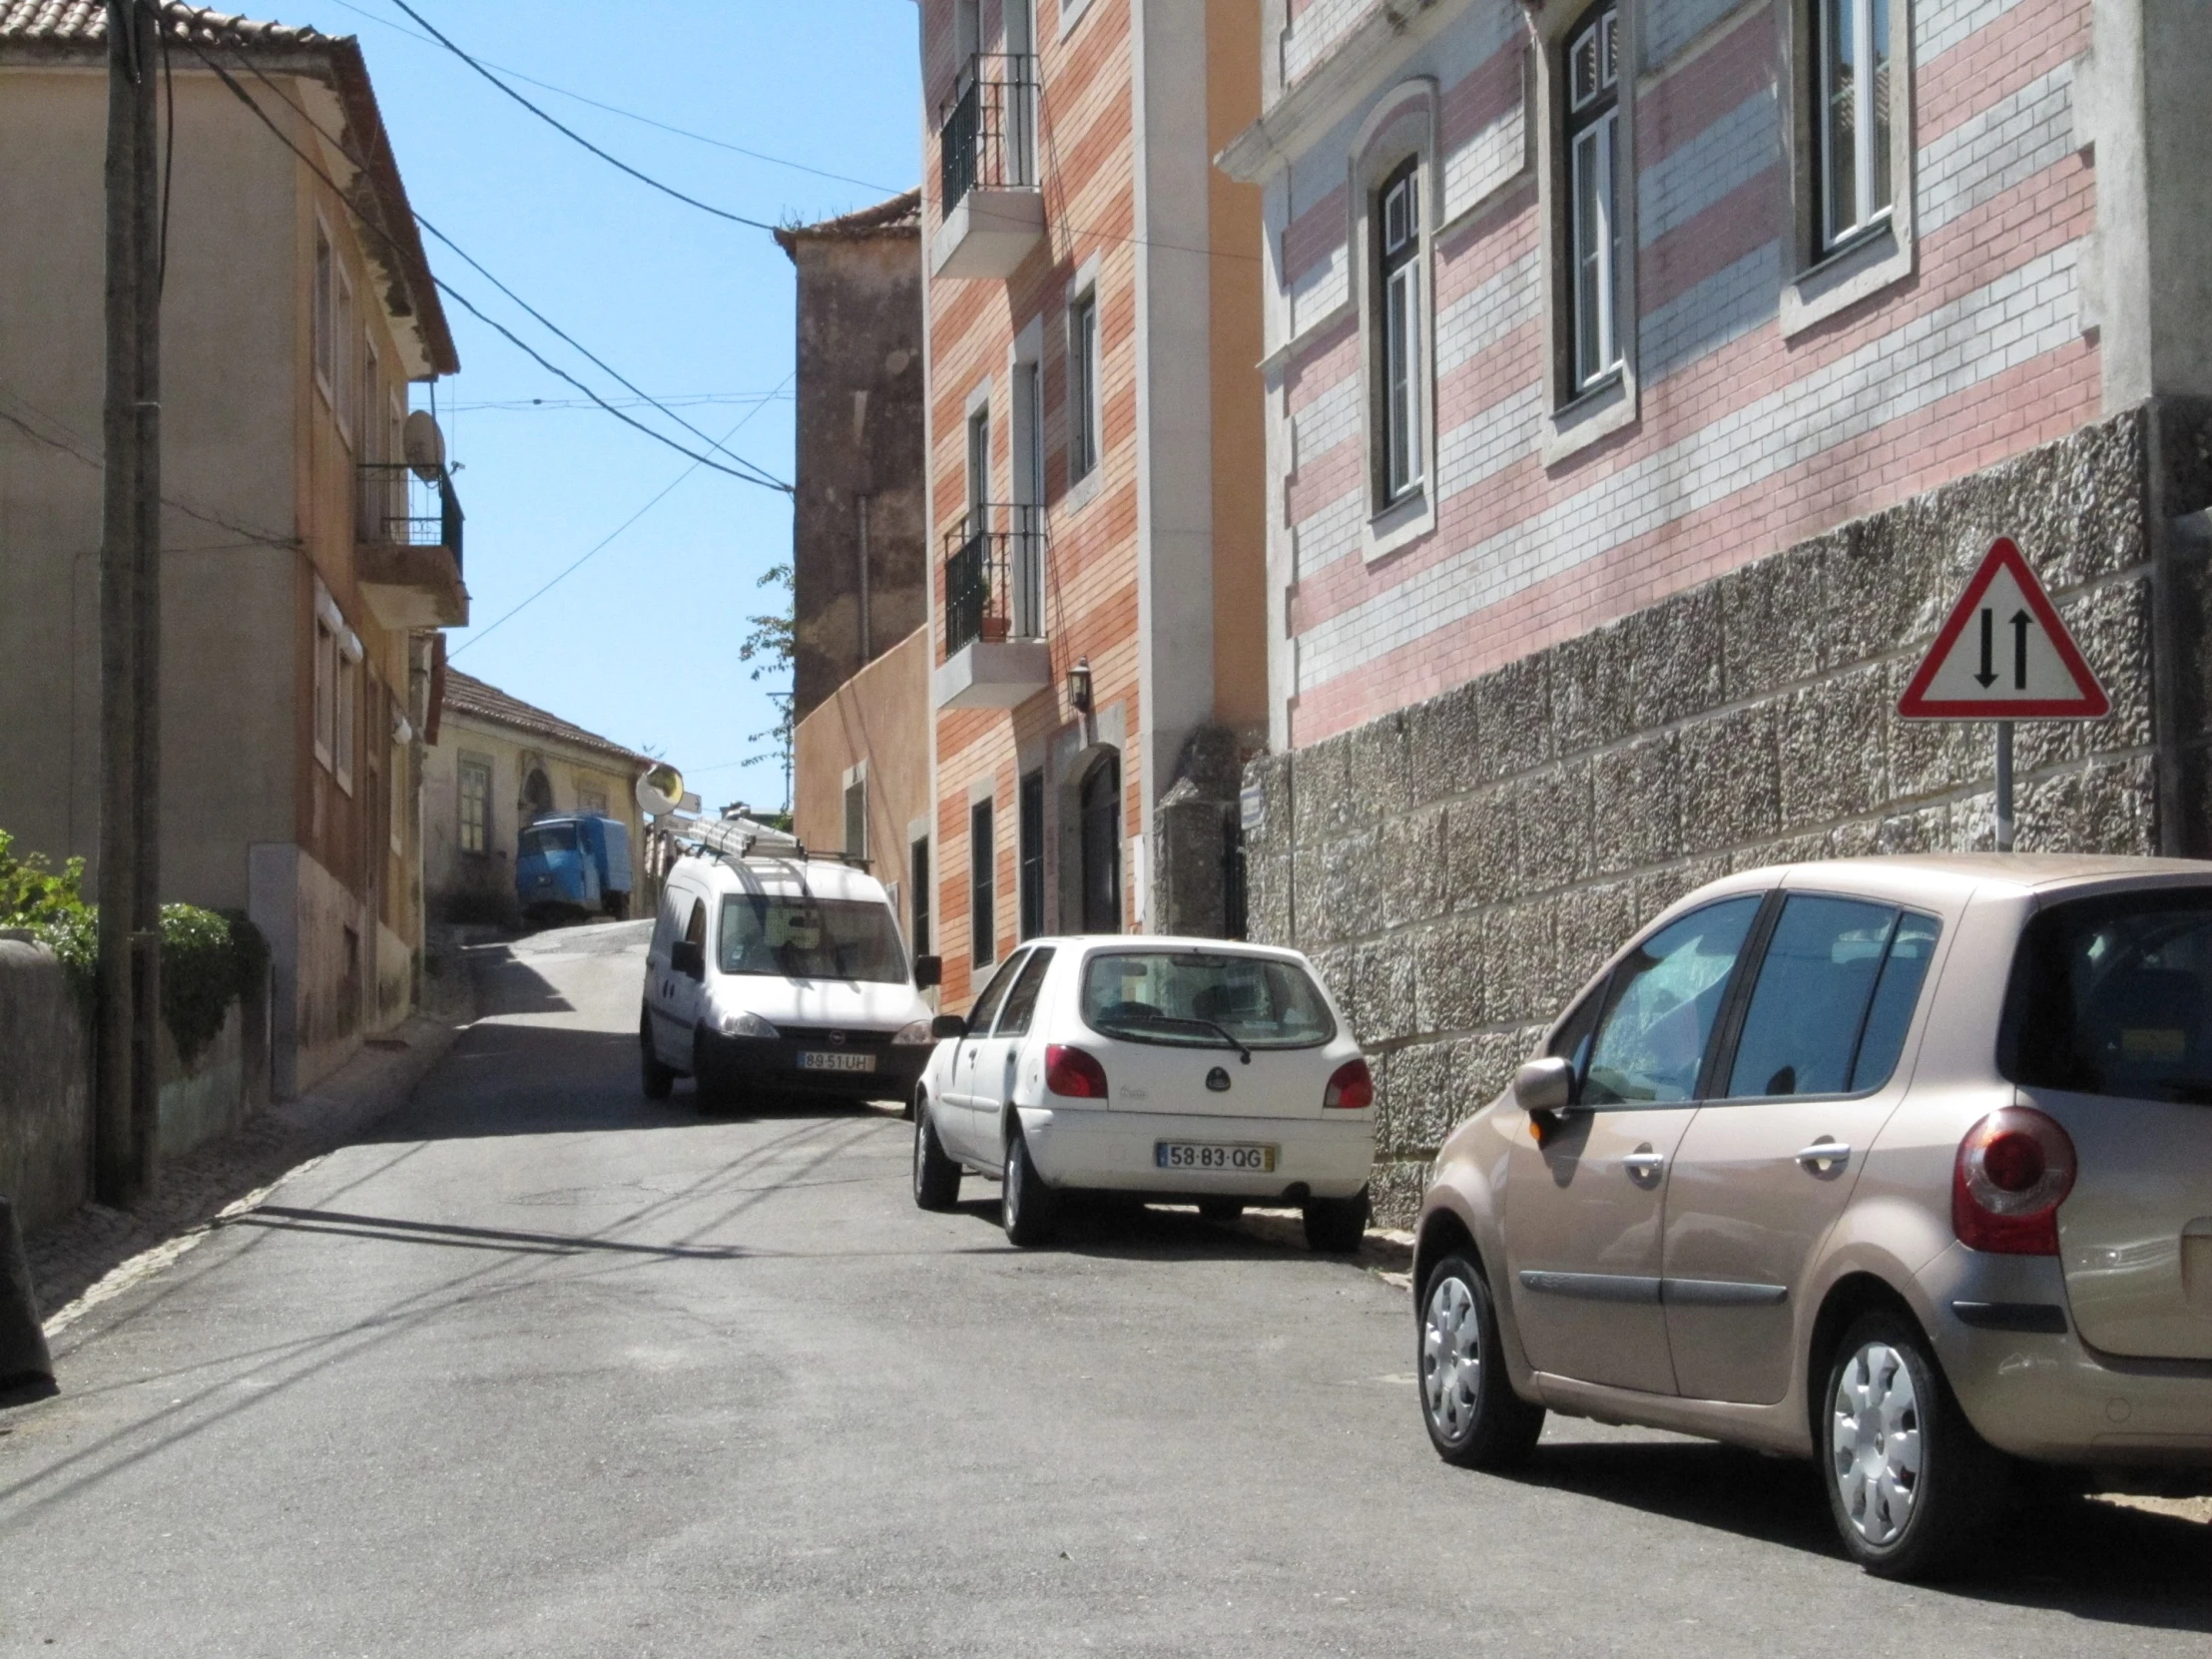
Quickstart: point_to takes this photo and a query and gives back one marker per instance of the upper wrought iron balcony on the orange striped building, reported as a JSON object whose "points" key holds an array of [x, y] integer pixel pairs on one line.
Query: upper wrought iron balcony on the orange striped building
{"points": [[988, 167]]}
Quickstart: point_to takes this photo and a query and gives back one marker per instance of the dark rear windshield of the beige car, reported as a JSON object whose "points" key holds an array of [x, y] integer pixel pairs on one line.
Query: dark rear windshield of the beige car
{"points": [[2109, 999]]}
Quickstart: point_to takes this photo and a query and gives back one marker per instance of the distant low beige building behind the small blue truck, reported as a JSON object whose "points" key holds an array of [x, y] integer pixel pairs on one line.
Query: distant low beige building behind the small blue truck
{"points": [[494, 766]]}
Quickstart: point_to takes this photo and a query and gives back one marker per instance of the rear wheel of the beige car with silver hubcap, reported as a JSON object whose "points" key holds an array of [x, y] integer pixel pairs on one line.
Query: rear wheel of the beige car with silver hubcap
{"points": [[1912, 1488]]}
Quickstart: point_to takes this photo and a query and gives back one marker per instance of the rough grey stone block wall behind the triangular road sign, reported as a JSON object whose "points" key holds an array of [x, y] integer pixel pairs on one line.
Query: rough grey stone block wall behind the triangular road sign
{"points": [[1461, 866]]}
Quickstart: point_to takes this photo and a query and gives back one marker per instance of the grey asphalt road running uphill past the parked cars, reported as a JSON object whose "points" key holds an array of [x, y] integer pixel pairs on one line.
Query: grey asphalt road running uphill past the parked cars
{"points": [[547, 1370]]}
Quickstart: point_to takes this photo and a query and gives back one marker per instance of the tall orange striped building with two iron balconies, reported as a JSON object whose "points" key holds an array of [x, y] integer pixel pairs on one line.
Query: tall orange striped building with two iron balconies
{"points": [[1089, 505]]}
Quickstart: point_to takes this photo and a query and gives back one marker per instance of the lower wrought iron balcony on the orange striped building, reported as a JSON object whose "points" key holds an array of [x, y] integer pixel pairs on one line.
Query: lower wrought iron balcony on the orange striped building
{"points": [[994, 609]]}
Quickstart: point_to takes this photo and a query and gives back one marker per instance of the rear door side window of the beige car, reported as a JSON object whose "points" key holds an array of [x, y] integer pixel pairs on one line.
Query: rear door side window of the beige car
{"points": [[1811, 999]]}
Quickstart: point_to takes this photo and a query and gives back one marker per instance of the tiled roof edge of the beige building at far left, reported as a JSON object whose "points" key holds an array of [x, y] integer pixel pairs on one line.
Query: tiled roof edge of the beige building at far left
{"points": [[79, 30]]}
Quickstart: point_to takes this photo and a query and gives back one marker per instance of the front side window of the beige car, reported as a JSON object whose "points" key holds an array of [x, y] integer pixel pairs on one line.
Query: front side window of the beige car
{"points": [[1662, 1005]]}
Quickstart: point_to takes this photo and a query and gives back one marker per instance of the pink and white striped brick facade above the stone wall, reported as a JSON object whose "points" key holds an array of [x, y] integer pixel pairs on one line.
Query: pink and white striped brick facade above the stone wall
{"points": [[1746, 439]]}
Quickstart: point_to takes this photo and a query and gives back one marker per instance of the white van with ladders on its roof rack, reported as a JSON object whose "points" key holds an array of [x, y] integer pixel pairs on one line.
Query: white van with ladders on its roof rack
{"points": [[778, 972]]}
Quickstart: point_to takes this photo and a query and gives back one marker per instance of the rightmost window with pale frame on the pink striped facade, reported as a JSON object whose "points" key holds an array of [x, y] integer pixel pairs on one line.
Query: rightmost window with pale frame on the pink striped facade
{"points": [[1833, 273]]}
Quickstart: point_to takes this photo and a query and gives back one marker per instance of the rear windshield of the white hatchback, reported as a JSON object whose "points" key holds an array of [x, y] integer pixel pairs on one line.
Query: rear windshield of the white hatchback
{"points": [[1204, 1001]]}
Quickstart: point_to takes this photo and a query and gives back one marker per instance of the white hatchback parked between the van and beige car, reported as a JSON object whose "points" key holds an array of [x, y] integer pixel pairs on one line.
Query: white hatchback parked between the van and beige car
{"points": [[1162, 1070]]}
